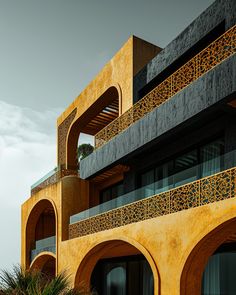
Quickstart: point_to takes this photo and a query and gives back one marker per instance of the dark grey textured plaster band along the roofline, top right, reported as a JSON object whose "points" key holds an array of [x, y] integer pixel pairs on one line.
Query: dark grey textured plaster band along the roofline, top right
{"points": [[220, 10]]}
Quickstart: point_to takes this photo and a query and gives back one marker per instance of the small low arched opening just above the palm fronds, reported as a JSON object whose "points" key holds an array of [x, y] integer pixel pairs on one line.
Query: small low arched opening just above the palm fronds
{"points": [[45, 263]]}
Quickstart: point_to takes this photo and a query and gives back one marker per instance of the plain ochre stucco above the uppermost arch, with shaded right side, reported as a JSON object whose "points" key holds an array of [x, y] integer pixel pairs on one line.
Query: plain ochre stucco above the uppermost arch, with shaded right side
{"points": [[118, 72]]}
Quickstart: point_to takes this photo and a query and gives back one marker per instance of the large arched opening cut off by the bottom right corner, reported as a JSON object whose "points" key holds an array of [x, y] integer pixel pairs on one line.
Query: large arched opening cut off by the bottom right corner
{"points": [[210, 268]]}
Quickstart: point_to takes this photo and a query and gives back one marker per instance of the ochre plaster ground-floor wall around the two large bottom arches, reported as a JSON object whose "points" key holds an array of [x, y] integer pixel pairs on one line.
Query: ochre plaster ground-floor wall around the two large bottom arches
{"points": [[169, 240]]}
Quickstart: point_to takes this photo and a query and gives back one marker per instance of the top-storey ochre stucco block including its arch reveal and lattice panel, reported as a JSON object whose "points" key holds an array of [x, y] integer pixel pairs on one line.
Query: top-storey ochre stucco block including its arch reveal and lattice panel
{"points": [[117, 73]]}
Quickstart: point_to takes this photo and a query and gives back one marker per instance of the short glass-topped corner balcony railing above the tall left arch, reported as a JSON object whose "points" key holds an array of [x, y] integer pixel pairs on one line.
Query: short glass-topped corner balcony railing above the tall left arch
{"points": [[50, 178]]}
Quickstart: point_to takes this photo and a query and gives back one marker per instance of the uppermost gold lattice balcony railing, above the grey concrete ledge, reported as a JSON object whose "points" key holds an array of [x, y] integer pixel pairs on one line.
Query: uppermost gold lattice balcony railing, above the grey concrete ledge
{"points": [[211, 56]]}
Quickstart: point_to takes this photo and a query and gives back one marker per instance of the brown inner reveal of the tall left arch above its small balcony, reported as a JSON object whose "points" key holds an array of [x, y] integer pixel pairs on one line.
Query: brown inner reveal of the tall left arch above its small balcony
{"points": [[36, 225]]}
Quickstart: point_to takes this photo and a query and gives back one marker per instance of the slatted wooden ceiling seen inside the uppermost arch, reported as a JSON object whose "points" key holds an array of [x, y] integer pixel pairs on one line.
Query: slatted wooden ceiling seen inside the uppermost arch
{"points": [[103, 118]]}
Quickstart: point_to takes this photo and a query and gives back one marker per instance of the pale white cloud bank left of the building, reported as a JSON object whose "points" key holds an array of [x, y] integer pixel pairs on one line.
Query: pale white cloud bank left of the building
{"points": [[27, 152]]}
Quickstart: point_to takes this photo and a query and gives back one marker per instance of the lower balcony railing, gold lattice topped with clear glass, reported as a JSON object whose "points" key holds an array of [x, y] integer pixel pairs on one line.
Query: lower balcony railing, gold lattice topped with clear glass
{"points": [[187, 189]]}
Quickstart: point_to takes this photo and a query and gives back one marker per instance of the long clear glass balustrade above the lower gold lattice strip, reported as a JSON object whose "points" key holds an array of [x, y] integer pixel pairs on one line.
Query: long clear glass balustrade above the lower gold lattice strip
{"points": [[204, 169]]}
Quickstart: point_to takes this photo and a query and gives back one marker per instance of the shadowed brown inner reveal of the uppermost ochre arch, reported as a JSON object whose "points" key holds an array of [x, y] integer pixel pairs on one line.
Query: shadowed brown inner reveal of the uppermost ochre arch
{"points": [[83, 122]]}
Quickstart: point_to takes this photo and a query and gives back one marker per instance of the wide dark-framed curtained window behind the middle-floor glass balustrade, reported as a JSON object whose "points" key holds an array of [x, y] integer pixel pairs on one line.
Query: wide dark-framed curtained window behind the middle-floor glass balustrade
{"points": [[187, 167]]}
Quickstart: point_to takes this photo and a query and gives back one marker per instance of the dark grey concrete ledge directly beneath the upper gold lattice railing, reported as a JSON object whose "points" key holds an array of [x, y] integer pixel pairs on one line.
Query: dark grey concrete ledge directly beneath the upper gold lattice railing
{"points": [[211, 88]]}
